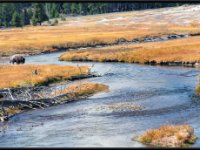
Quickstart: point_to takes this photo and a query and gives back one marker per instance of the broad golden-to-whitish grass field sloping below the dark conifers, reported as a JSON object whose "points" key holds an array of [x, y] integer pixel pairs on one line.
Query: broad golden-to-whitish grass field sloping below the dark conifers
{"points": [[100, 29]]}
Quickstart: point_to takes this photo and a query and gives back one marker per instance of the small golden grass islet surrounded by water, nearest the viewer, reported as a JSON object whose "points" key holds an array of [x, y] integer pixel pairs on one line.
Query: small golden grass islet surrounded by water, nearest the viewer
{"points": [[169, 136]]}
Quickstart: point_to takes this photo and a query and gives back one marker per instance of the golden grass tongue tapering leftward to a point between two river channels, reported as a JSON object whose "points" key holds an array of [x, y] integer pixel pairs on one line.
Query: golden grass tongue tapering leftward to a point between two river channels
{"points": [[183, 50]]}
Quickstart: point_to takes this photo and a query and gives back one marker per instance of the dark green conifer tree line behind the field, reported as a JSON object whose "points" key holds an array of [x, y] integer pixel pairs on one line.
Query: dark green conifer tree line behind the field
{"points": [[20, 14]]}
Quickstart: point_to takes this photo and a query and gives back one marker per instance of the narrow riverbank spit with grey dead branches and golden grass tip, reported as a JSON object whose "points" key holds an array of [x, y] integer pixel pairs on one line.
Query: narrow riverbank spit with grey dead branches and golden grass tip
{"points": [[74, 92]]}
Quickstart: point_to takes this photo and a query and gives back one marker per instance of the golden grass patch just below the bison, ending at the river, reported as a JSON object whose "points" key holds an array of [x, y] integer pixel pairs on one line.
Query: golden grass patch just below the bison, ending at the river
{"points": [[12, 76]]}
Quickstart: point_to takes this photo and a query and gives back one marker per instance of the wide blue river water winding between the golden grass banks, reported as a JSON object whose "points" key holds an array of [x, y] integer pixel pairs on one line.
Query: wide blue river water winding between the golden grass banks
{"points": [[166, 93]]}
